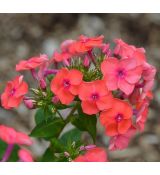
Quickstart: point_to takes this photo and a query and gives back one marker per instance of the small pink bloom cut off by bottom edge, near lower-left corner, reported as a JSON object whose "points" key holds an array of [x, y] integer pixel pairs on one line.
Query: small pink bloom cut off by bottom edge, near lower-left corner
{"points": [[25, 155]]}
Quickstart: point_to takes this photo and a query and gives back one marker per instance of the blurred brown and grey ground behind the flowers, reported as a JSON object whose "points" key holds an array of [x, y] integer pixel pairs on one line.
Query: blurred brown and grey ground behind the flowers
{"points": [[26, 35]]}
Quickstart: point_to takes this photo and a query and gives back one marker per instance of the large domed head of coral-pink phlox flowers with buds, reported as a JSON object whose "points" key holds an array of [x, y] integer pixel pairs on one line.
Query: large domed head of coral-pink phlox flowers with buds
{"points": [[113, 84]]}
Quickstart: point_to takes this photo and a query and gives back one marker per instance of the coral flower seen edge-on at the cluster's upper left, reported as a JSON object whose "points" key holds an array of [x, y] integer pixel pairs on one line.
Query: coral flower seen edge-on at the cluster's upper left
{"points": [[32, 63]]}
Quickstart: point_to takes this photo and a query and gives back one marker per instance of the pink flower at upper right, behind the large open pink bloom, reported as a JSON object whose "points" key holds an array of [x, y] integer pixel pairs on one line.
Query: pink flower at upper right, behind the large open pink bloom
{"points": [[129, 51]]}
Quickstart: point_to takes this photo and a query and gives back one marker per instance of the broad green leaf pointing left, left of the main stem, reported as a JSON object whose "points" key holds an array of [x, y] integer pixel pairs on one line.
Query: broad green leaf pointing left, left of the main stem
{"points": [[49, 128]]}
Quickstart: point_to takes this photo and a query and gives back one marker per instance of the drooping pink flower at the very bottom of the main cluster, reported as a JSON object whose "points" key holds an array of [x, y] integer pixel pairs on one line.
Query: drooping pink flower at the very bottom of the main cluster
{"points": [[121, 141]]}
